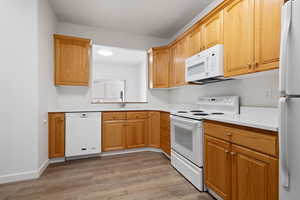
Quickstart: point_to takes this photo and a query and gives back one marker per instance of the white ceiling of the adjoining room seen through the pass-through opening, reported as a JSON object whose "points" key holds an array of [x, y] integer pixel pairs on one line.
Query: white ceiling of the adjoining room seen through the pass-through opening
{"points": [[120, 56]]}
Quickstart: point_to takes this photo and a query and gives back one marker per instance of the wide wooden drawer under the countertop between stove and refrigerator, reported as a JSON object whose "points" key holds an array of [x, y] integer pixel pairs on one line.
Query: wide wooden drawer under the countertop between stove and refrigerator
{"points": [[256, 139]]}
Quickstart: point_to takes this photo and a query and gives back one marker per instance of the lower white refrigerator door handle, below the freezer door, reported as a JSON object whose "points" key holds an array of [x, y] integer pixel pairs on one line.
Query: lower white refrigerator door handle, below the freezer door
{"points": [[284, 175]]}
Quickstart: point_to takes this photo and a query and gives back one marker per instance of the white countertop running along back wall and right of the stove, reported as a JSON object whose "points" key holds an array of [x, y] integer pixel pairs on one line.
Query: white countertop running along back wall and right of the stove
{"points": [[255, 117]]}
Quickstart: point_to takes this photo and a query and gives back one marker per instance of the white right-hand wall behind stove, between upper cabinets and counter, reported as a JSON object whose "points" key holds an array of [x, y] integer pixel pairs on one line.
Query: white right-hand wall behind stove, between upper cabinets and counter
{"points": [[257, 91]]}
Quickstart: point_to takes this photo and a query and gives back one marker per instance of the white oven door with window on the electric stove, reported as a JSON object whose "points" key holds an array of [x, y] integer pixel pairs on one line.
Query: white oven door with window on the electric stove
{"points": [[187, 139]]}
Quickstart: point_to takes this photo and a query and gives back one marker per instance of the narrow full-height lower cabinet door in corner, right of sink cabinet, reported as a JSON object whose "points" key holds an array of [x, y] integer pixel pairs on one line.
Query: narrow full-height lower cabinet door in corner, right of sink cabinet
{"points": [[154, 130]]}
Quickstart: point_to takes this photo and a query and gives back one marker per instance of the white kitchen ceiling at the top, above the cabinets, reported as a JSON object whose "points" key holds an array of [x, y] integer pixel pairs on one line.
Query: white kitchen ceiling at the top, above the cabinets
{"points": [[159, 18]]}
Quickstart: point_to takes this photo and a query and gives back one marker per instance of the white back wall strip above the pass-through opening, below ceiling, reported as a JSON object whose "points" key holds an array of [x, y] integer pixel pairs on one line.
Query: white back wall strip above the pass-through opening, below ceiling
{"points": [[110, 38]]}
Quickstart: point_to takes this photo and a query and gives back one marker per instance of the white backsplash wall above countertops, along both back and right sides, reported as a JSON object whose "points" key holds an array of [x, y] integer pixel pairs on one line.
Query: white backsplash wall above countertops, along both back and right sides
{"points": [[261, 91]]}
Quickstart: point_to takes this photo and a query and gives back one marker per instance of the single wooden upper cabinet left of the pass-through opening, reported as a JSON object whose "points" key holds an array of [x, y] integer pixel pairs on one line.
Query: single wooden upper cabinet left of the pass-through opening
{"points": [[72, 60]]}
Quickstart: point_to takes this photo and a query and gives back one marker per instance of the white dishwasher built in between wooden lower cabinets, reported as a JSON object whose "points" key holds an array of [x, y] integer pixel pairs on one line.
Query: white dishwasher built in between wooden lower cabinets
{"points": [[83, 133]]}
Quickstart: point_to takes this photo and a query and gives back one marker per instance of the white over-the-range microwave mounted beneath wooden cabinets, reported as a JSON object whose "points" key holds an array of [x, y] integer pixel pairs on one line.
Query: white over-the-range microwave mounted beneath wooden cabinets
{"points": [[206, 66]]}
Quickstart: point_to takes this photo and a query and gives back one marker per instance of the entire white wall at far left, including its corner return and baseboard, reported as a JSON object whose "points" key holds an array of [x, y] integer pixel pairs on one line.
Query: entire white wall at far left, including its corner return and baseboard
{"points": [[26, 76]]}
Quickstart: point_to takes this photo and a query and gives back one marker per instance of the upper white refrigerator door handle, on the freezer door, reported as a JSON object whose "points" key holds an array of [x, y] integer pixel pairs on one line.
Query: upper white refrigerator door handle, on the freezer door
{"points": [[286, 20]]}
